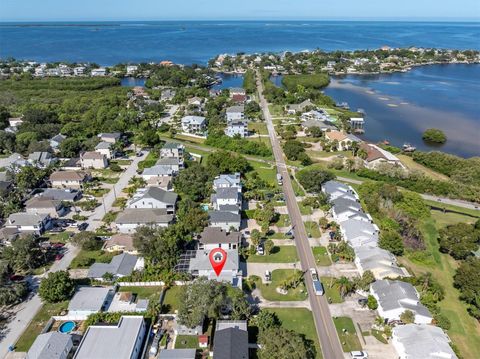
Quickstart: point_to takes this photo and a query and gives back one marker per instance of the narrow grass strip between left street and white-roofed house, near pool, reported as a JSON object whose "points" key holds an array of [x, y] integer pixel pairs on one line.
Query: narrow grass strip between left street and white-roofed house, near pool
{"points": [[38, 323]]}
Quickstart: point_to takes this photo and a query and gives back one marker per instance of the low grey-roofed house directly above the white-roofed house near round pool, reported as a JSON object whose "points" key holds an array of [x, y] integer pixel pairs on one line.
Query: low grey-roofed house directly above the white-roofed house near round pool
{"points": [[120, 266]]}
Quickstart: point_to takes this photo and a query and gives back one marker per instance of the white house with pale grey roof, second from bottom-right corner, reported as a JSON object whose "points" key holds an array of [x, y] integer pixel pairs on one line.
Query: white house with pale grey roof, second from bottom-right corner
{"points": [[395, 297]]}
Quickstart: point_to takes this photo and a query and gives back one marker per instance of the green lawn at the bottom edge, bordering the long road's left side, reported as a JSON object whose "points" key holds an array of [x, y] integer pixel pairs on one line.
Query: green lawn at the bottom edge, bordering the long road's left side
{"points": [[301, 321]]}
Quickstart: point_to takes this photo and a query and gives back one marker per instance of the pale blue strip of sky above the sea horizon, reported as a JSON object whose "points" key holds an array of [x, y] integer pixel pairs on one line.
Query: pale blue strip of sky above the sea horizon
{"points": [[97, 10]]}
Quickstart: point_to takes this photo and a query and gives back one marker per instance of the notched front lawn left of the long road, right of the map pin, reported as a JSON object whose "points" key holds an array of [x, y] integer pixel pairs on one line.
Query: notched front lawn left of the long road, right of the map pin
{"points": [[269, 291]]}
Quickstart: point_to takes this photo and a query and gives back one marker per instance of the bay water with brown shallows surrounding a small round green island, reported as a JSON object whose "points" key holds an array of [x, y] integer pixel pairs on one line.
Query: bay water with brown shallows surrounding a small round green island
{"points": [[401, 106]]}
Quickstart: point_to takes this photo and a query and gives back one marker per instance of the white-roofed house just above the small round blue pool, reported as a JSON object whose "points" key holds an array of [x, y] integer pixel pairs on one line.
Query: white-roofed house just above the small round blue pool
{"points": [[89, 300]]}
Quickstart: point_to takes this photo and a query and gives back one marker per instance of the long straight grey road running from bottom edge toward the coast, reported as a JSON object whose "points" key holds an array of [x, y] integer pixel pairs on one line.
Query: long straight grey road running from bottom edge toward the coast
{"points": [[326, 332]]}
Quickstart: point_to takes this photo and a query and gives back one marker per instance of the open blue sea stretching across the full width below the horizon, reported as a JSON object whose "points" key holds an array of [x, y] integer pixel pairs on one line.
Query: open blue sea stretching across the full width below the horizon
{"points": [[188, 42]]}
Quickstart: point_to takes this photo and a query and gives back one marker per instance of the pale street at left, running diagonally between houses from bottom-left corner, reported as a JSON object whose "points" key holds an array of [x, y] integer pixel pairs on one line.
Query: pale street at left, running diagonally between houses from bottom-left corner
{"points": [[23, 313]]}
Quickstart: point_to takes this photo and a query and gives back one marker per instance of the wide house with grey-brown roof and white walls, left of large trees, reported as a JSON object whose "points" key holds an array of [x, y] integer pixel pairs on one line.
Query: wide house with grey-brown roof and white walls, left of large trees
{"points": [[131, 218]]}
